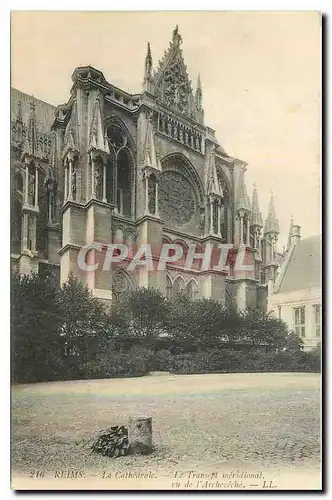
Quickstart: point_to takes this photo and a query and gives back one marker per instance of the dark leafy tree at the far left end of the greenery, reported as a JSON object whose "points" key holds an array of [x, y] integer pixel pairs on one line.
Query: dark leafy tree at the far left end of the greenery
{"points": [[37, 347]]}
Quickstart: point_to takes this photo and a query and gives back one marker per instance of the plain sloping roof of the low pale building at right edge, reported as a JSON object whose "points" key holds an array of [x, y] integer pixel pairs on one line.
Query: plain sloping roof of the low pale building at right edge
{"points": [[303, 267]]}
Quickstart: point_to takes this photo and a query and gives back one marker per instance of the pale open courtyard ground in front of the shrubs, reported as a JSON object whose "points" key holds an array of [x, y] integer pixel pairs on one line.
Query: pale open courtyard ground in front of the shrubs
{"points": [[227, 431]]}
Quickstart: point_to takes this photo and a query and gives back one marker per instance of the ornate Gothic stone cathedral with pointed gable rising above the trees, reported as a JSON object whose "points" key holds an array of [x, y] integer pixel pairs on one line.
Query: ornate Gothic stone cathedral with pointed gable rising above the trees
{"points": [[112, 167]]}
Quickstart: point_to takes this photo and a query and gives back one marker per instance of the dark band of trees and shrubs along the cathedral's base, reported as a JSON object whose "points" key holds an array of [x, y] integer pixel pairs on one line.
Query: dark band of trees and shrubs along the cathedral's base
{"points": [[62, 333]]}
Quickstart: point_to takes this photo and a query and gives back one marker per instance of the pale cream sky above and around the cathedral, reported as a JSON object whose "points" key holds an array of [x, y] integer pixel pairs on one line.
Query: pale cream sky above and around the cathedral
{"points": [[260, 74]]}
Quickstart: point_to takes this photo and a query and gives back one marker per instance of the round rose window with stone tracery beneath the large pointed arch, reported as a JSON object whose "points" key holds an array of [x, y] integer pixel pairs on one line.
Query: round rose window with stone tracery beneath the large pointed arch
{"points": [[176, 198]]}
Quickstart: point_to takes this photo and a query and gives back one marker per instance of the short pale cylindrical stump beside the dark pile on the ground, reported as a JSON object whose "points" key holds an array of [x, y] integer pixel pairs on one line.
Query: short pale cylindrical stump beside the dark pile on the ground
{"points": [[140, 435]]}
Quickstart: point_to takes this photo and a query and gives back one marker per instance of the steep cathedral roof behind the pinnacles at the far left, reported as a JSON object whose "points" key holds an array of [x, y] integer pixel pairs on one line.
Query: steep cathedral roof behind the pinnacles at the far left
{"points": [[44, 111]]}
